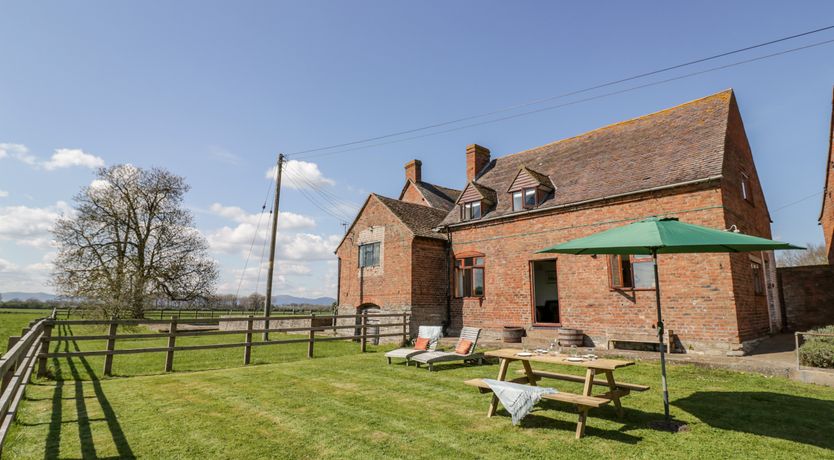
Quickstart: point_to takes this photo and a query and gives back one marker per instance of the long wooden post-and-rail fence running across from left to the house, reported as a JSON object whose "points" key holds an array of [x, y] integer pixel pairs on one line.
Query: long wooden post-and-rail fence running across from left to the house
{"points": [[360, 333]]}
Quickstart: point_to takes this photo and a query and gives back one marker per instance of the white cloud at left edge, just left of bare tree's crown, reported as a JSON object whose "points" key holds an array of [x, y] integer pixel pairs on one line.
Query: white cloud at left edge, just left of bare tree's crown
{"points": [[31, 226]]}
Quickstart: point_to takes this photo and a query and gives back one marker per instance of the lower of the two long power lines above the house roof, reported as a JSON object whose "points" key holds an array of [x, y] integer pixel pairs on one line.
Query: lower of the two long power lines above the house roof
{"points": [[579, 101]]}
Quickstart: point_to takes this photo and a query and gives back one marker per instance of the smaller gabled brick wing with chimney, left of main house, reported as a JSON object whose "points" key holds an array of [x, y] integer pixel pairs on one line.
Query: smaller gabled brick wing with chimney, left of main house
{"points": [[391, 260]]}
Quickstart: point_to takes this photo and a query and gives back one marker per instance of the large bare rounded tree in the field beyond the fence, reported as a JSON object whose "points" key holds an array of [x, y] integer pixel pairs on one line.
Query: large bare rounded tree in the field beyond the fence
{"points": [[130, 241]]}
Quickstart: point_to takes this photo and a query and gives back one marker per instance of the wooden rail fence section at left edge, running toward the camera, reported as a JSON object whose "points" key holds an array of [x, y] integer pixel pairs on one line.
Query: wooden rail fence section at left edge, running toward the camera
{"points": [[16, 368]]}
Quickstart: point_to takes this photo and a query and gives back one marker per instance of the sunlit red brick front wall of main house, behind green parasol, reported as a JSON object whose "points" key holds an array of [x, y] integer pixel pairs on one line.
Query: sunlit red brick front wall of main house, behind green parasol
{"points": [[697, 290]]}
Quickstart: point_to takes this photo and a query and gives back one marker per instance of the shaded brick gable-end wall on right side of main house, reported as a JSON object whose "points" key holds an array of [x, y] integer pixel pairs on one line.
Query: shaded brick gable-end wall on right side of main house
{"points": [[751, 217]]}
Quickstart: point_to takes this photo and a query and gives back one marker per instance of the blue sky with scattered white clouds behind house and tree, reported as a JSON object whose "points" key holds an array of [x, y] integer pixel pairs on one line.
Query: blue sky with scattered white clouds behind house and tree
{"points": [[214, 90]]}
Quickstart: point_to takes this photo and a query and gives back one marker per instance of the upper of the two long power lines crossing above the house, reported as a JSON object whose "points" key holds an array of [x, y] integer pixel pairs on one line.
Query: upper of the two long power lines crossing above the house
{"points": [[567, 94]]}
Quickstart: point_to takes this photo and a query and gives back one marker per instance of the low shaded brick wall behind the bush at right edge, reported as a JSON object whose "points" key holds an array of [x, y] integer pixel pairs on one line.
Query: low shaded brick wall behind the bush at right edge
{"points": [[808, 296]]}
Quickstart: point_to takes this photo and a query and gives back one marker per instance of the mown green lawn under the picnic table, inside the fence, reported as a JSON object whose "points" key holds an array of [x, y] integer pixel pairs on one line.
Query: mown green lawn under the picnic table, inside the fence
{"points": [[351, 405]]}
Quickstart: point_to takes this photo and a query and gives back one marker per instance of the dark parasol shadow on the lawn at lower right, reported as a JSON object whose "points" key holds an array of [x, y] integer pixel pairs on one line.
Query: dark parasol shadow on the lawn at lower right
{"points": [[775, 415]]}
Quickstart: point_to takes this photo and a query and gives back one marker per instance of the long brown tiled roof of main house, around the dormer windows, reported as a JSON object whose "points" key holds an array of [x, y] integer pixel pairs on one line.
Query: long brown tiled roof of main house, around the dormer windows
{"points": [[673, 146]]}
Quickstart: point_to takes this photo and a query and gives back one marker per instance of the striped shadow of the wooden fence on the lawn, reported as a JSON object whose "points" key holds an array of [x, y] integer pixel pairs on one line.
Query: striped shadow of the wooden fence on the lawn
{"points": [[85, 434]]}
